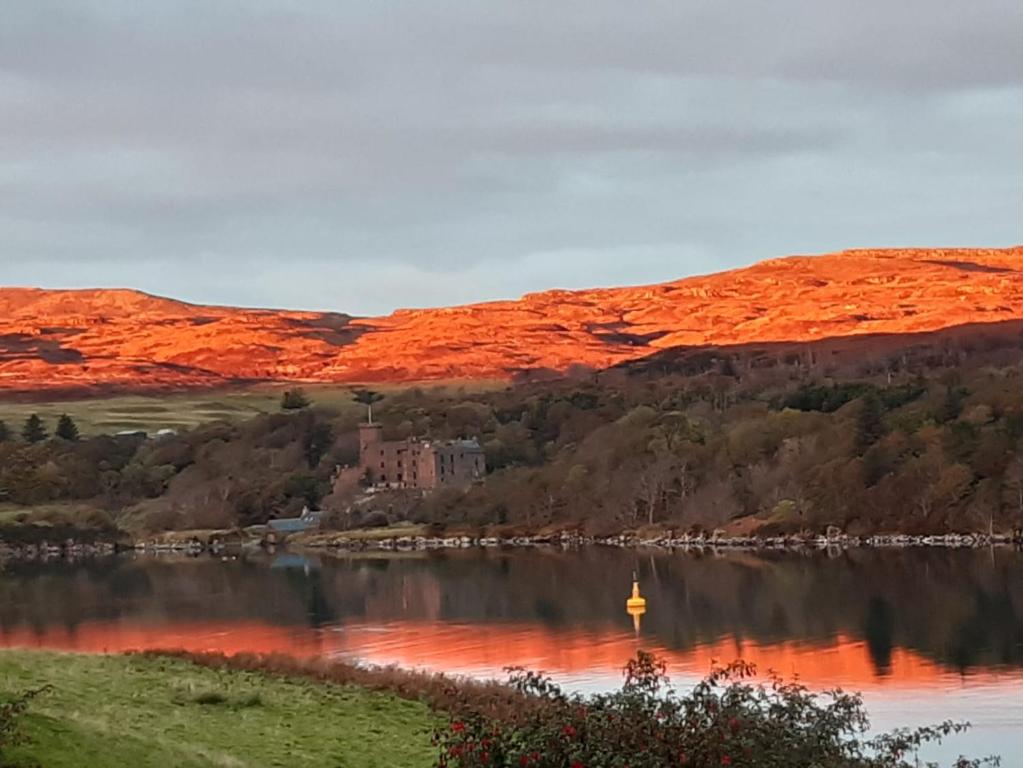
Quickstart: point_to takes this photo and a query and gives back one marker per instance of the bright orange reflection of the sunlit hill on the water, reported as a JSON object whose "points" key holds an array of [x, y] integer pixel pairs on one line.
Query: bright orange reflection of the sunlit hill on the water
{"points": [[487, 651]]}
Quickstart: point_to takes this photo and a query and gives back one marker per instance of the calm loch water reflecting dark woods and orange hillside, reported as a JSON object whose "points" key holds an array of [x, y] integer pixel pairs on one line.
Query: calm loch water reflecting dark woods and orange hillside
{"points": [[925, 636]]}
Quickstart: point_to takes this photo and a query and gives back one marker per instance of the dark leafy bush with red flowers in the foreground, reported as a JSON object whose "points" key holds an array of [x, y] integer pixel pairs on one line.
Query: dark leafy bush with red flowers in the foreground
{"points": [[726, 720]]}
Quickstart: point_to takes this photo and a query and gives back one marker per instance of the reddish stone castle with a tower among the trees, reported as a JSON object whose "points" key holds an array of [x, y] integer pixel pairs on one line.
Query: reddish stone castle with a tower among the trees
{"points": [[425, 465]]}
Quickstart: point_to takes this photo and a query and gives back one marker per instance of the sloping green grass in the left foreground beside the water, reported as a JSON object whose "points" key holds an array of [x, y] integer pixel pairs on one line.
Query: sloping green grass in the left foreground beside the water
{"points": [[108, 711]]}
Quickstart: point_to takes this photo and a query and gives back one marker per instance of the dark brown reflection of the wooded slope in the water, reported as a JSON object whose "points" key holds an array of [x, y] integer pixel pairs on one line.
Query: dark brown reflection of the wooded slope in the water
{"points": [[961, 610]]}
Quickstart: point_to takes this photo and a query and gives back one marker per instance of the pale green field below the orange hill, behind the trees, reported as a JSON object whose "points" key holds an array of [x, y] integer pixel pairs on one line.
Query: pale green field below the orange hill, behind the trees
{"points": [[182, 412]]}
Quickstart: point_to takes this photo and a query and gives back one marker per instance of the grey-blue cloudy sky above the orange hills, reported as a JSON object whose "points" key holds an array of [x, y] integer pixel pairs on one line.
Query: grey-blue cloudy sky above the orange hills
{"points": [[362, 157]]}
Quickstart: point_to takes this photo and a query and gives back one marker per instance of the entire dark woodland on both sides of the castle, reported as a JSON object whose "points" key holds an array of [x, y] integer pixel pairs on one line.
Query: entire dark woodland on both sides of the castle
{"points": [[921, 437]]}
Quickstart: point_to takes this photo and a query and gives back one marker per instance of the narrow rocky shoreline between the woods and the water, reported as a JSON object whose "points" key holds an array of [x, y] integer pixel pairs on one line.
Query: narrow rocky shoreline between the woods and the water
{"points": [[223, 546]]}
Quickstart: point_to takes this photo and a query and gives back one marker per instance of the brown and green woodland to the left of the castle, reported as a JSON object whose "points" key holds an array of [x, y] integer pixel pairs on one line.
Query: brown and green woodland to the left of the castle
{"points": [[218, 476]]}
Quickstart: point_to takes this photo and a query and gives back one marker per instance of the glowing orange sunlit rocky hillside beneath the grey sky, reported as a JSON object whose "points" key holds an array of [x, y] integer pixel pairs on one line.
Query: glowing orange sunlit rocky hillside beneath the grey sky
{"points": [[124, 340]]}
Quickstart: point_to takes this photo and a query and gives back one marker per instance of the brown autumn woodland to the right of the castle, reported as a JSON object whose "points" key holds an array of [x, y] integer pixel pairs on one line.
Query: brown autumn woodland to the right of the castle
{"points": [[929, 455]]}
